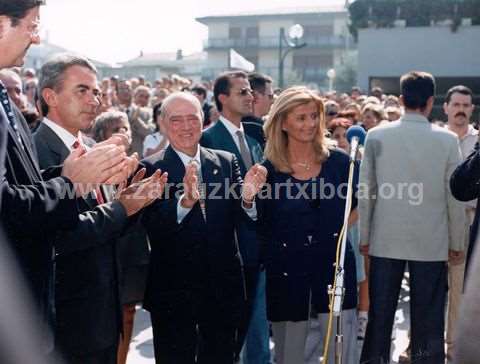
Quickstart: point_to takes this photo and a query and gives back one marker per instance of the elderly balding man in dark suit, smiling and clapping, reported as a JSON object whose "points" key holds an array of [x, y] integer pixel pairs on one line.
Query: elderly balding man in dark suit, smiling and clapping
{"points": [[195, 275]]}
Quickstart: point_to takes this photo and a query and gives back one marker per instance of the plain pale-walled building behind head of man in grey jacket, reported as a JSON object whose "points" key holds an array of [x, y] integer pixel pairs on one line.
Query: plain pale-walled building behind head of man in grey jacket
{"points": [[385, 54]]}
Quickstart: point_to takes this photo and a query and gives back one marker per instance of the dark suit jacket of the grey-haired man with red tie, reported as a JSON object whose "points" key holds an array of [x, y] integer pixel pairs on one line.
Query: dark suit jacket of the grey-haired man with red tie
{"points": [[87, 294]]}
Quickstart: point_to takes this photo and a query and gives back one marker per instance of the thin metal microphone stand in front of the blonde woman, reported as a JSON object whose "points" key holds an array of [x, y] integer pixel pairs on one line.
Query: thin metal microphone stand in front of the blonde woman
{"points": [[338, 290]]}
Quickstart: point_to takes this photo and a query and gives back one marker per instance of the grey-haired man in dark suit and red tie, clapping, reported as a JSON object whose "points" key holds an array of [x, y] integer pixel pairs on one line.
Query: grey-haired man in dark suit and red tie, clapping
{"points": [[88, 321]]}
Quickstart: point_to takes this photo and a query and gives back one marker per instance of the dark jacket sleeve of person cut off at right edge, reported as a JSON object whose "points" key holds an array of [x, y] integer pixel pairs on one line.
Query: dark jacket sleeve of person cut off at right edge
{"points": [[465, 186]]}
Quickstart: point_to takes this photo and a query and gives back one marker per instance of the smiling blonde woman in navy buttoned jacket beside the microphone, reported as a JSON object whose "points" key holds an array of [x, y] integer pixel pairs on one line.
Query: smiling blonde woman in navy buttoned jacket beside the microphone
{"points": [[300, 213]]}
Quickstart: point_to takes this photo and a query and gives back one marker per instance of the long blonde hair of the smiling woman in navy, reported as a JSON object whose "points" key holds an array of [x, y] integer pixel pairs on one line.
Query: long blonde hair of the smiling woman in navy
{"points": [[277, 139]]}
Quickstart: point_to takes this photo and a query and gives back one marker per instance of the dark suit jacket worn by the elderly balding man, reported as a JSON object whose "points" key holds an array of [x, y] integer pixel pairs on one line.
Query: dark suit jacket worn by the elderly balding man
{"points": [[195, 267]]}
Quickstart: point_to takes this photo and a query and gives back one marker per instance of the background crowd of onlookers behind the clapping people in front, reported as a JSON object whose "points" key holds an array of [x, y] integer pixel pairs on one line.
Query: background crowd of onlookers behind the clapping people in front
{"points": [[133, 107]]}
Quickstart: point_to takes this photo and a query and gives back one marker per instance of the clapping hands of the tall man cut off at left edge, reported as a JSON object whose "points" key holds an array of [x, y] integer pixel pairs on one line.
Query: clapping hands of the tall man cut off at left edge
{"points": [[97, 166]]}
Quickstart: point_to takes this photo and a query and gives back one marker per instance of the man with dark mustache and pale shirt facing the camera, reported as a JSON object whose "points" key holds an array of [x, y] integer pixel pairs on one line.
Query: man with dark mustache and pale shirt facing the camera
{"points": [[458, 107]]}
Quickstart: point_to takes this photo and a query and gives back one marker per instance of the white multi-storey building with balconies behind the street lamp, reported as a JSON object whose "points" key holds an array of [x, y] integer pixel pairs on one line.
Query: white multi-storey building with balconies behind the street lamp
{"points": [[256, 36]]}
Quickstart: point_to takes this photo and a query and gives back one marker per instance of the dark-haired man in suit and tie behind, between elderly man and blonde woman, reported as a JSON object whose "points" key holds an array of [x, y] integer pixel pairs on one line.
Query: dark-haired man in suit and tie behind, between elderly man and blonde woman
{"points": [[234, 97]]}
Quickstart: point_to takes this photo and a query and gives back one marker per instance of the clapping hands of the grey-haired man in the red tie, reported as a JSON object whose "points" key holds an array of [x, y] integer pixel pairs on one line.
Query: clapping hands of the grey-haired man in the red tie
{"points": [[142, 192]]}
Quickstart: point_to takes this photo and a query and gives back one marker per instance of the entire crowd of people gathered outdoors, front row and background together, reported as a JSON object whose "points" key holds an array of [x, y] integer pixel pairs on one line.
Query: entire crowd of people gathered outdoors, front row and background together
{"points": [[207, 204]]}
